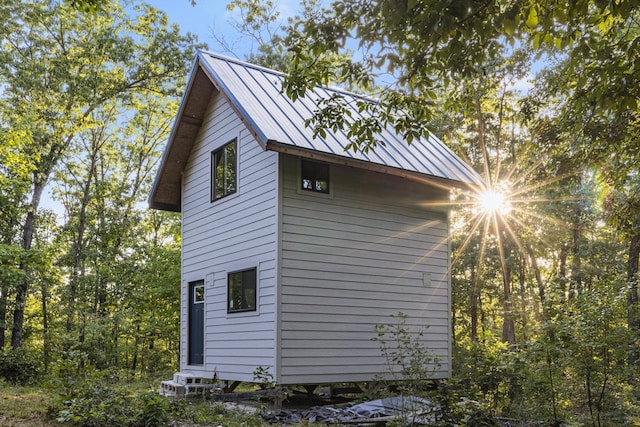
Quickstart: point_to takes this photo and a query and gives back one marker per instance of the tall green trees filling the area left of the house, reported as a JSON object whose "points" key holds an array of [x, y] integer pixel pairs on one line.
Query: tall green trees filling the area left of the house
{"points": [[102, 89]]}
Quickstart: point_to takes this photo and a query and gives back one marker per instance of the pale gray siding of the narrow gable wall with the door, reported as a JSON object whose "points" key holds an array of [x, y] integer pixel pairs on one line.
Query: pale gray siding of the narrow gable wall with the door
{"points": [[234, 233]]}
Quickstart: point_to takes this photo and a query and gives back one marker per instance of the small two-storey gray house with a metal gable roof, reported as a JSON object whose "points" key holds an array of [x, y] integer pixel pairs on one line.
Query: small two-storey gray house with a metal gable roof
{"points": [[293, 249]]}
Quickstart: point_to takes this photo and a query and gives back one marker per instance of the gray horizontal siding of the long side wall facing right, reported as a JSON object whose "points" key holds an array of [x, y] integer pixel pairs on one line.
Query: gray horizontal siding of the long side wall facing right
{"points": [[351, 260]]}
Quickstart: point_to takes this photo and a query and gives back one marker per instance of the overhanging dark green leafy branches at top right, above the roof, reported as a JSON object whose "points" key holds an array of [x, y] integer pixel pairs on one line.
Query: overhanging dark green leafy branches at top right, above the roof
{"points": [[422, 48]]}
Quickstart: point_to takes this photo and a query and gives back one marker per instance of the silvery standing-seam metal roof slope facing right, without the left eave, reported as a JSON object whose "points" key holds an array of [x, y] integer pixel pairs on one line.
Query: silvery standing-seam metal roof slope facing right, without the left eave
{"points": [[257, 92]]}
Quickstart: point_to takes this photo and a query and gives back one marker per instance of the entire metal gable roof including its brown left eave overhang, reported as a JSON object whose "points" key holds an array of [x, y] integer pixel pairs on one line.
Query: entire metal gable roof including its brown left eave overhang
{"points": [[278, 123]]}
